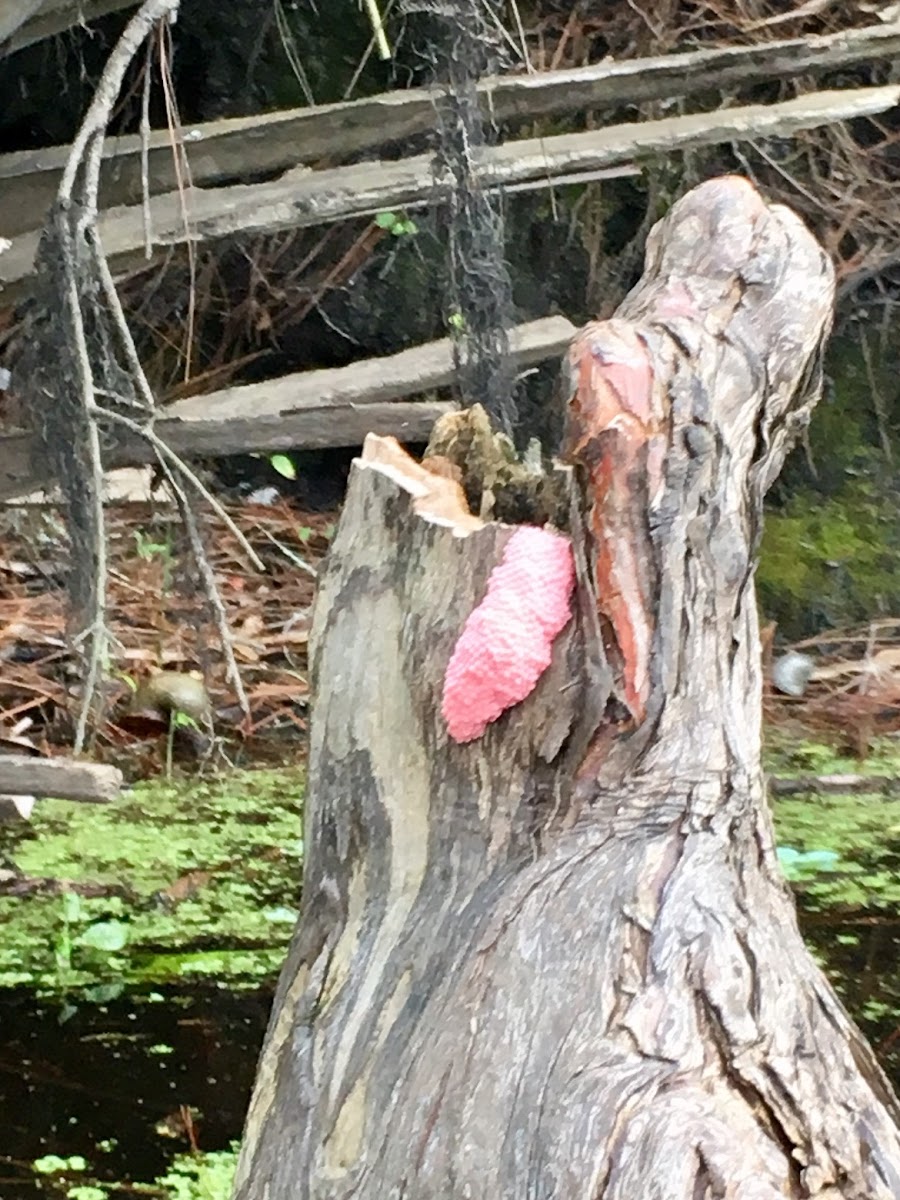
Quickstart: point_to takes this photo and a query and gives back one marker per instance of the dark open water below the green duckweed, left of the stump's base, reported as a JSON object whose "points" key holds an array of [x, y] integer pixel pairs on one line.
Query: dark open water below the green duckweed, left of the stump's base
{"points": [[112, 1083]]}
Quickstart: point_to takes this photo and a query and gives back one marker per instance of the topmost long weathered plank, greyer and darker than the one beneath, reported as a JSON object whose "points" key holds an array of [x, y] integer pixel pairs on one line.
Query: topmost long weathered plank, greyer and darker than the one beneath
{"points": [[247, 148]]}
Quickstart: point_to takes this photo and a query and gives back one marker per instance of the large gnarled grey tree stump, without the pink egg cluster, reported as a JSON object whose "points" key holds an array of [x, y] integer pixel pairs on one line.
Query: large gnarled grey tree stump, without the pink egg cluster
{"points": [[560, 959]]}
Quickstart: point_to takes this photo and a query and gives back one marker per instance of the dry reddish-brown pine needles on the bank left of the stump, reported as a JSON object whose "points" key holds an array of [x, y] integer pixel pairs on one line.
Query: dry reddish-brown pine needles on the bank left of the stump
{"points": [[158, 615]]}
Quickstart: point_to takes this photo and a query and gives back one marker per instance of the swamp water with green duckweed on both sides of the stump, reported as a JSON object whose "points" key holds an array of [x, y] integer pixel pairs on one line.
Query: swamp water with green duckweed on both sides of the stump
{"points": [[133, 1009]]}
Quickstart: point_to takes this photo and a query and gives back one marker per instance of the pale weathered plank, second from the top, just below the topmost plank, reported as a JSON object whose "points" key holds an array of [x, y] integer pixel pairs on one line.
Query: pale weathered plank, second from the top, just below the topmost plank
{"points": [[303, 197]]}
